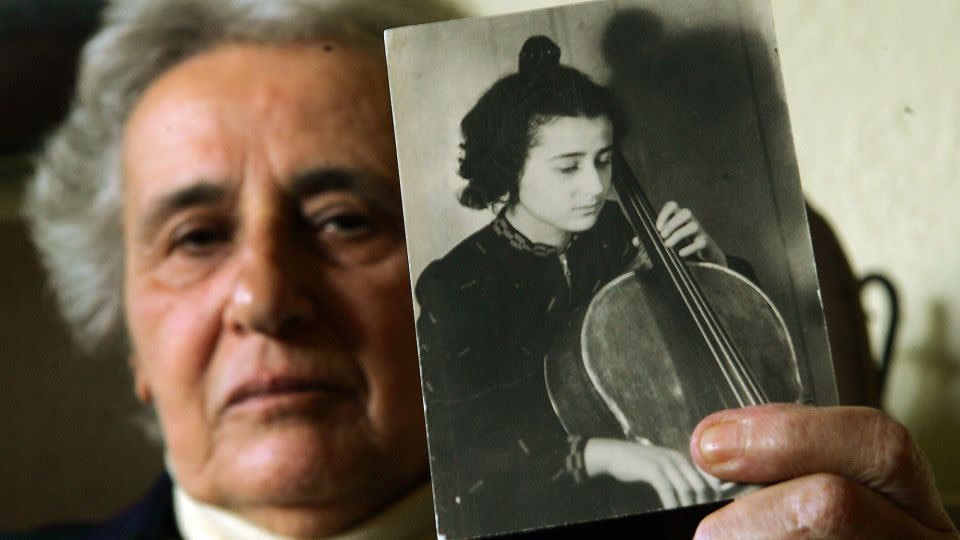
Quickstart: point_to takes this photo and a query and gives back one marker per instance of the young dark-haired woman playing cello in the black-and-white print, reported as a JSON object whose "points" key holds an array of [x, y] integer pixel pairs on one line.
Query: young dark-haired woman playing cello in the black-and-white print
{"points": [[538, 149]]}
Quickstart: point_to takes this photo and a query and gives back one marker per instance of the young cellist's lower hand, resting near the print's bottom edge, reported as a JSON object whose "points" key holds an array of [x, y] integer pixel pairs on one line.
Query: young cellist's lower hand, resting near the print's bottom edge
{"points": [[670, 473]]}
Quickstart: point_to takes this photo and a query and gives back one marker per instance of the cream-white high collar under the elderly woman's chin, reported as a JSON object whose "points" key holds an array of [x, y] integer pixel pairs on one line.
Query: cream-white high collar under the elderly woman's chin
{"points": [[409, 519]]}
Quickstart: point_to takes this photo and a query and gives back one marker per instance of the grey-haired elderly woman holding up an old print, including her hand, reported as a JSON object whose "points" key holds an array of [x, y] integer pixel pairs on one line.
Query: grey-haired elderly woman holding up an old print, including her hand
{"points": [[223, 196]]}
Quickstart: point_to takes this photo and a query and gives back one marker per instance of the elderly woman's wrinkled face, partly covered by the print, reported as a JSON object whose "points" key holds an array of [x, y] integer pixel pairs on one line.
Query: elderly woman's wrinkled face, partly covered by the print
{"points": [[267, 292]]}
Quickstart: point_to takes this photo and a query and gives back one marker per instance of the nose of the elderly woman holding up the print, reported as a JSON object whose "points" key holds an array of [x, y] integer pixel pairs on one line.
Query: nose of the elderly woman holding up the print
{"points": [[267, 297]]}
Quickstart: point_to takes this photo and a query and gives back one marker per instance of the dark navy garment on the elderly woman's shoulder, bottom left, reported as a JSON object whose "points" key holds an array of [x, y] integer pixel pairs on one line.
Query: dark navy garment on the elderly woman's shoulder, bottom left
{"points": [[151, 518]]}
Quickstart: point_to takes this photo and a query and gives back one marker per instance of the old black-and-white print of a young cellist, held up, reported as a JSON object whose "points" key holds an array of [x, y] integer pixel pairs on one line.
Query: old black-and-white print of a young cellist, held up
{"points": [[607, 241]]}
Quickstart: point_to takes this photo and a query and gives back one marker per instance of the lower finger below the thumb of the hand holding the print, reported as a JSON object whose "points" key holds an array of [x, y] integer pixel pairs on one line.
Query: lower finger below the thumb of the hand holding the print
{"points": [[819, 506]]}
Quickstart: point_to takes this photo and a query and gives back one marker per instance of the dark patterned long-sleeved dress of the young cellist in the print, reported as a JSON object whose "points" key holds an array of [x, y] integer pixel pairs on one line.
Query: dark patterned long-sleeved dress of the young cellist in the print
{"points": [[490, 310]]}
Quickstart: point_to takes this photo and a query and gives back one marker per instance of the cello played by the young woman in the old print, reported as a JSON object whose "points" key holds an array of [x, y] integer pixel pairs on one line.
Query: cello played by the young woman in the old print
{"points": [[658, 349]]}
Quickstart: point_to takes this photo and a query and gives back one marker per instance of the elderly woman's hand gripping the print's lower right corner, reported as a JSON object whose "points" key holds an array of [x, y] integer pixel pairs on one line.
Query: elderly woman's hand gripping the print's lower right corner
{"points": [[832, 472]]}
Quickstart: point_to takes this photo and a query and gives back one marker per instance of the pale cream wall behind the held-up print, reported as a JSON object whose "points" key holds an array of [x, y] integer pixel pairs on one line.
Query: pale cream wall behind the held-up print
{"points": [[873, 88]]}
